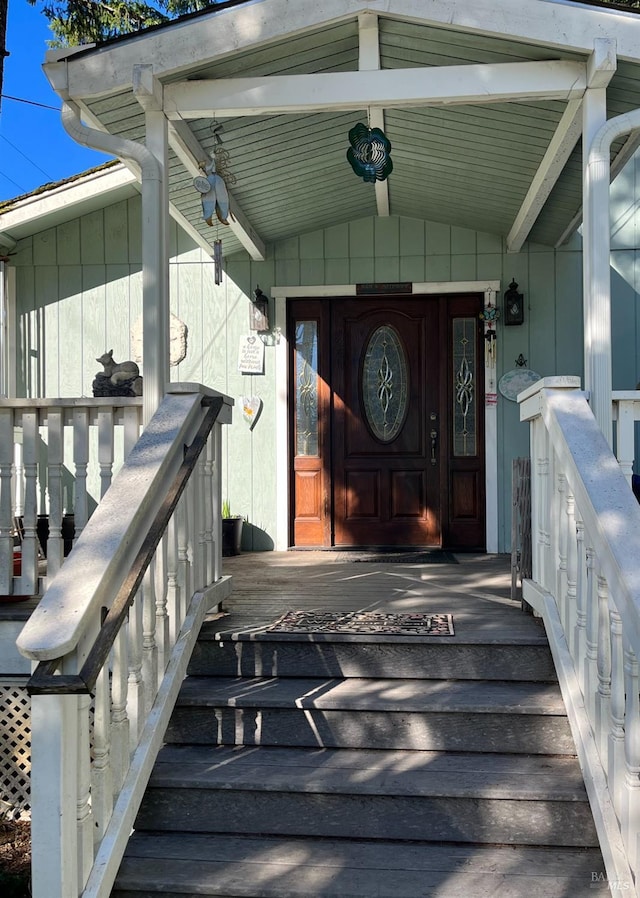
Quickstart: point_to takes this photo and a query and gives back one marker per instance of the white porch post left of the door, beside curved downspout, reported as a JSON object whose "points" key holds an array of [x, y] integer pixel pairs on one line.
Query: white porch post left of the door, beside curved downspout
{"points": [[155, 247]]}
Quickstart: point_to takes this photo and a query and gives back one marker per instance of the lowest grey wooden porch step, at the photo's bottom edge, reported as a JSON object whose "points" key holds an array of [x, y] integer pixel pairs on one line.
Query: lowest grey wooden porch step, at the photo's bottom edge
{"points": [[270, 867]]}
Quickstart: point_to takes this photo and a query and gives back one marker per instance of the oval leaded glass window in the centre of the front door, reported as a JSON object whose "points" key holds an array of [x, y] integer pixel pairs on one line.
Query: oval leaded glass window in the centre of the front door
{"points": [[384, 388]]}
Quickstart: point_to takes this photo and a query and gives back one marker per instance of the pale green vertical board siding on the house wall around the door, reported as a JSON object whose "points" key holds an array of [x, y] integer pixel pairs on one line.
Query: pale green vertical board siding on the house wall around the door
{"points": [[79, 290]]}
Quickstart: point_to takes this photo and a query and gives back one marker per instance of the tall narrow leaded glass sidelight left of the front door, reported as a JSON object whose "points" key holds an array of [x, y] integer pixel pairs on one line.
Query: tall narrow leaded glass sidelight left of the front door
{"points": [[306, 388]]}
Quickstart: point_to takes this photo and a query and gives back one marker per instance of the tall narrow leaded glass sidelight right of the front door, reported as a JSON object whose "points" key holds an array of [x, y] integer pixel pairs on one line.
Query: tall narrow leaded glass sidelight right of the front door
{"points": [[464, 387]]}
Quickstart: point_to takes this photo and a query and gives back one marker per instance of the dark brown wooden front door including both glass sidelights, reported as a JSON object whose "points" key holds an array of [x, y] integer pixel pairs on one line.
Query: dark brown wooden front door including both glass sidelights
{"points": [[387, 436]]}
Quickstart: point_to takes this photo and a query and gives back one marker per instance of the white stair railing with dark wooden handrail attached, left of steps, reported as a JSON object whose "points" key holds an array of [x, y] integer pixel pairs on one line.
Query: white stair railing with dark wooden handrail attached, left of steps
{"points": [[112, 636]]}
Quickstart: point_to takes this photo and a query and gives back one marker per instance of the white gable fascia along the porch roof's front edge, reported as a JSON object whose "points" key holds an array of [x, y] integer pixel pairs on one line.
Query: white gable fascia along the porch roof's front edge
{"points": [[172, 50]]}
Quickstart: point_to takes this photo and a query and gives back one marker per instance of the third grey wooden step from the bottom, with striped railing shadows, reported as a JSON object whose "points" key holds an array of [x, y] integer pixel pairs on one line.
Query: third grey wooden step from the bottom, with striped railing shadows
{"points": [[429, 715]]}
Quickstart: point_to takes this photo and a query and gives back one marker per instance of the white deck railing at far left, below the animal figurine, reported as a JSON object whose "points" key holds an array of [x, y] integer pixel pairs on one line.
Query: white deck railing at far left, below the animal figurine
{"points": [[57, 459]]}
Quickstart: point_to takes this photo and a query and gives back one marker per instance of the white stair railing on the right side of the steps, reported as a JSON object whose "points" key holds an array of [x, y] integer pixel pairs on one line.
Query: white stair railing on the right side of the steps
{"points": [[586, 587]]}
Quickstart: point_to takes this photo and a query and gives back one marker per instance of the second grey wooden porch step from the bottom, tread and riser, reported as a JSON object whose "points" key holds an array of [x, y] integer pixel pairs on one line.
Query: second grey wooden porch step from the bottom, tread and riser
{"points": [[370, 794]]}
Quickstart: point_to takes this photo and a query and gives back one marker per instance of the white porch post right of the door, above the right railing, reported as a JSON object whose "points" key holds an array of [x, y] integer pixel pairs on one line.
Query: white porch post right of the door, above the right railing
{"points": [[595, 267]]}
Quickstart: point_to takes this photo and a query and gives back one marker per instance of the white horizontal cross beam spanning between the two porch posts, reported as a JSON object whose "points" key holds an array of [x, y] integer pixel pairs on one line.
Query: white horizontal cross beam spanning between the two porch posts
{"points": [[442, 85]]}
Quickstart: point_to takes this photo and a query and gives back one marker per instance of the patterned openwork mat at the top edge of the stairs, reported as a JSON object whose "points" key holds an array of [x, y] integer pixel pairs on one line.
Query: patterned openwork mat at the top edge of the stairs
{"points": [[364, 622]]}
